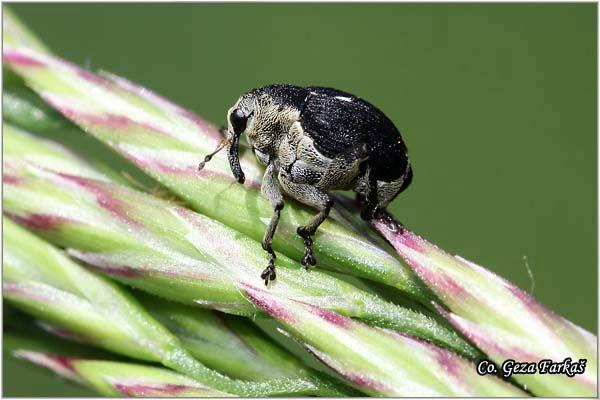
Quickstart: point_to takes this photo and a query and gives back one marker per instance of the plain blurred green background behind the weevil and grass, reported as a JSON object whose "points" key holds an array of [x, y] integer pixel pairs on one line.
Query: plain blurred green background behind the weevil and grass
{"points": [[496, 102]]}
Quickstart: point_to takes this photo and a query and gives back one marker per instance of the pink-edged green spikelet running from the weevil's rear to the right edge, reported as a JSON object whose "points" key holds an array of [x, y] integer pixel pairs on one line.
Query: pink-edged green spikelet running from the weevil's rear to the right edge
{"points": [[501, 319]]}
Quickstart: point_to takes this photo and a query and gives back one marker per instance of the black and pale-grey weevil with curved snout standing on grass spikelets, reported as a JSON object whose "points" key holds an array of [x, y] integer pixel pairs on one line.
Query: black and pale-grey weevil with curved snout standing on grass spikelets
{"points": [[314, 140]]}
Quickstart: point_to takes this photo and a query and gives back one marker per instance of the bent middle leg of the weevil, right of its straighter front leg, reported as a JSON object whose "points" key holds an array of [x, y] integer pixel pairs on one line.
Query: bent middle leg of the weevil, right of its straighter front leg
{"points": [[313, 197]]}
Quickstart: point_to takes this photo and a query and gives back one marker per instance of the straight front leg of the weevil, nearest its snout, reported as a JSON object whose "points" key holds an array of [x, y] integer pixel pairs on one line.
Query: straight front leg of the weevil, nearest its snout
{"points": [[271, 191]]}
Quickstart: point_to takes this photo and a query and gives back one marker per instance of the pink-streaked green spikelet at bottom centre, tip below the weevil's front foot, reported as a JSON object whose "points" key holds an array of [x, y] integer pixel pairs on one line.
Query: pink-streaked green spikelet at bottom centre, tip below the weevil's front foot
{"points": [[377, 361]]}
